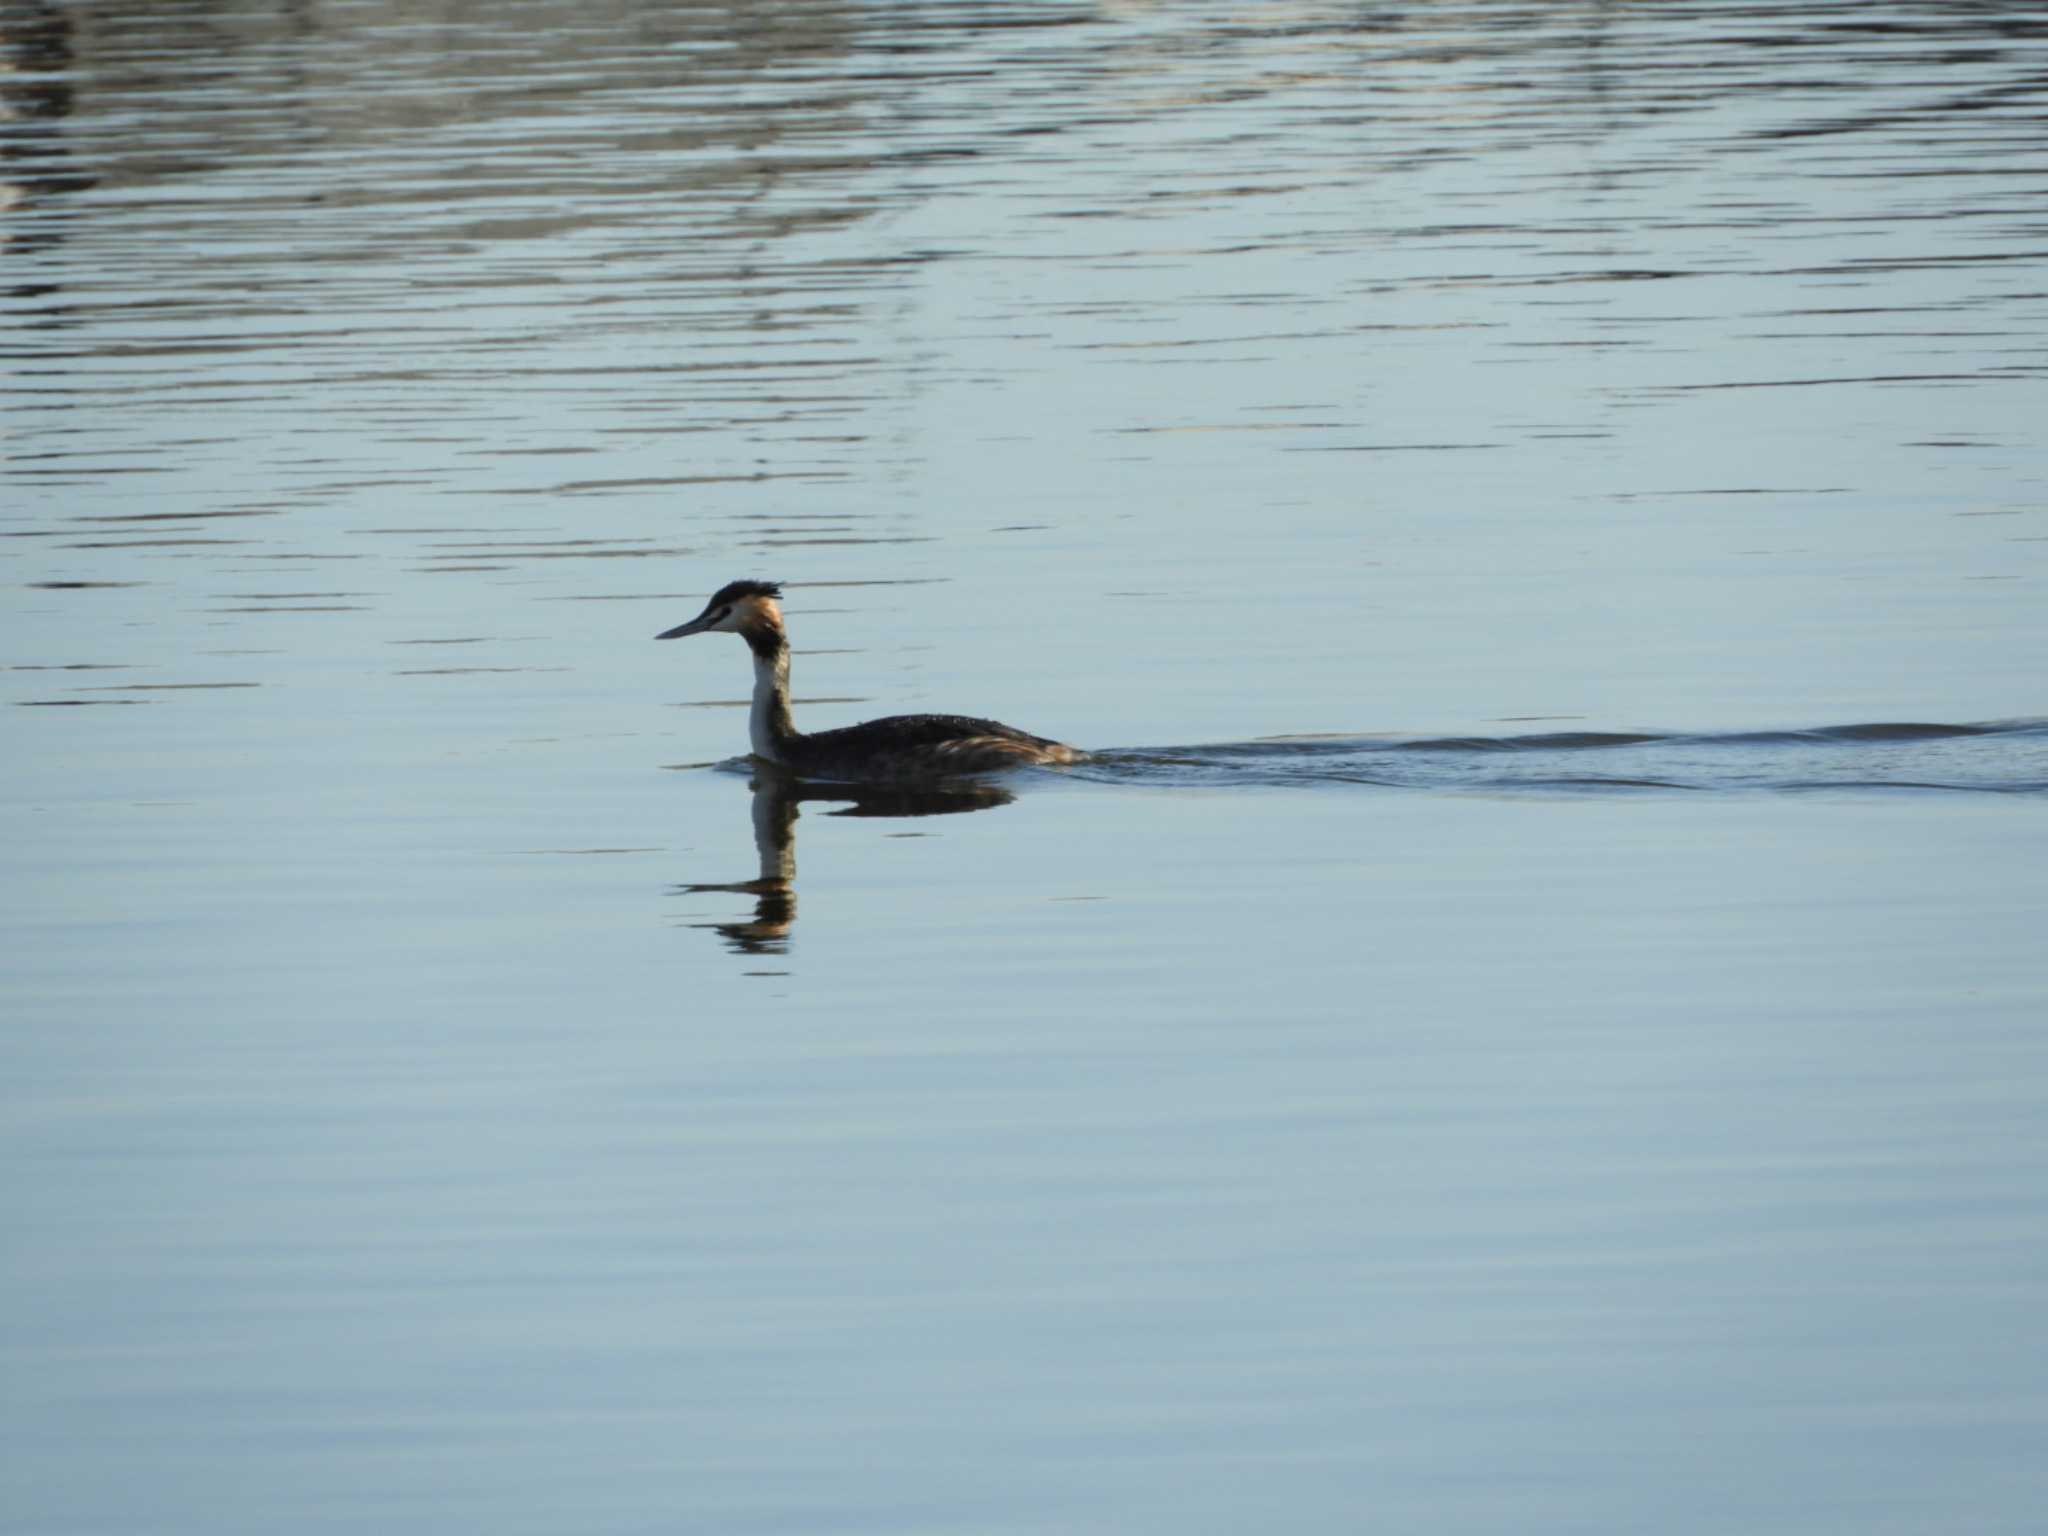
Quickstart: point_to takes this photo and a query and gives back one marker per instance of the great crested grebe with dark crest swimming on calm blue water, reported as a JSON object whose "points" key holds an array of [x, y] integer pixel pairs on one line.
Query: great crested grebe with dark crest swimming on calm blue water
{"points": [[894, 749]]}
